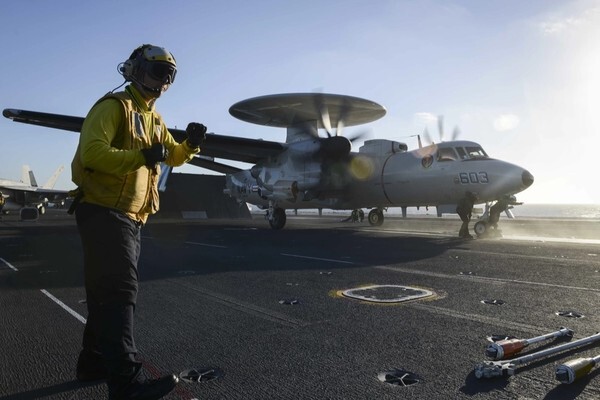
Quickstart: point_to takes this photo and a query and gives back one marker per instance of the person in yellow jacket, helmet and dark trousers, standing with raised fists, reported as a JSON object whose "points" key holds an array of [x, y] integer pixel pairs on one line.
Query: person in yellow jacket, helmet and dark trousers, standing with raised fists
{"points": [[116, 168]]}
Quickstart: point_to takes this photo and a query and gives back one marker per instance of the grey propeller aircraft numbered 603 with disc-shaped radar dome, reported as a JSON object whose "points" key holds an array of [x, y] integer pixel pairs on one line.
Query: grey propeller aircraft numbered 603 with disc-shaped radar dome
{"points": [[310, 171]]}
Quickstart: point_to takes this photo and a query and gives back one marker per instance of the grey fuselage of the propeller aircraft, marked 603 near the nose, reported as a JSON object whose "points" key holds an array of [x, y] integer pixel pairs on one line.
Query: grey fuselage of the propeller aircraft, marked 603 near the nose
{"points": [[382, 174]]}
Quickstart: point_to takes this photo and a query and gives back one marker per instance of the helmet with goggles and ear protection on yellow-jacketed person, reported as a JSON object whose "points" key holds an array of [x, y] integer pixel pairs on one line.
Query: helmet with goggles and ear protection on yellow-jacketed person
{"points": [[151, 66]]}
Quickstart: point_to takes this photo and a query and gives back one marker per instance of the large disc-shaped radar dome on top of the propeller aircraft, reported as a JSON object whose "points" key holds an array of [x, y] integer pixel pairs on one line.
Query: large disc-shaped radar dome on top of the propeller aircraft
{"points": [[293, 109]]}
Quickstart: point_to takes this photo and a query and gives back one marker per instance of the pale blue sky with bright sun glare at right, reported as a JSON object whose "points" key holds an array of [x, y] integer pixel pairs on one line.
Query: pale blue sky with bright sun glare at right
{"points": [[520, 78]]}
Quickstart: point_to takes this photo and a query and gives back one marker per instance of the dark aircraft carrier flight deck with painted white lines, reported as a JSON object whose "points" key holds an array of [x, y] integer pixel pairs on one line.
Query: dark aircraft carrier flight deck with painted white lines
{"points": [[322, 309]]}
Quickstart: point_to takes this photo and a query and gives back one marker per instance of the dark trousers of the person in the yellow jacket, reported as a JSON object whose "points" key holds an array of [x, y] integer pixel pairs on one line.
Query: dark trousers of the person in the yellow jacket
{"points": [[111, 248]]}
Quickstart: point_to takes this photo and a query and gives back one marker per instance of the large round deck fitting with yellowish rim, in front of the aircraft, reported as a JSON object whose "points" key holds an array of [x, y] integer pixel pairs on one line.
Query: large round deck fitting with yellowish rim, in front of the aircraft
{"points": [[387, 293]]}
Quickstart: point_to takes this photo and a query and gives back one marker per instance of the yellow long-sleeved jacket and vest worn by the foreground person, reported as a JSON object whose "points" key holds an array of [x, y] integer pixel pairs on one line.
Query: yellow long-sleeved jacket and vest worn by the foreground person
{"points": [[109, 167]]}
